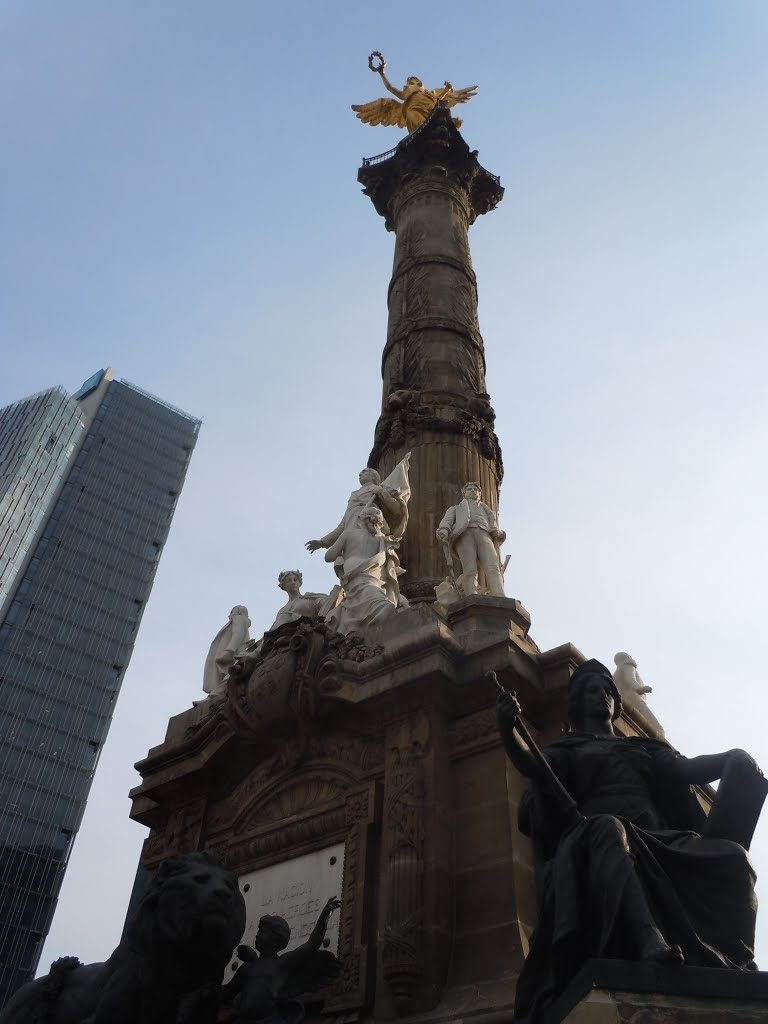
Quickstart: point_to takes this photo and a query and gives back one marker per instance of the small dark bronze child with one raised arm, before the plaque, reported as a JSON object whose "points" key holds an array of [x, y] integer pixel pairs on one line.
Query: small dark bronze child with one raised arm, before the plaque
{"points": [[267, 987]]}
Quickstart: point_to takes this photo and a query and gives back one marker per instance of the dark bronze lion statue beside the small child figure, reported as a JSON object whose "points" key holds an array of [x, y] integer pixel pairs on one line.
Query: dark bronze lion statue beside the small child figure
{"points": [[167, 969]]}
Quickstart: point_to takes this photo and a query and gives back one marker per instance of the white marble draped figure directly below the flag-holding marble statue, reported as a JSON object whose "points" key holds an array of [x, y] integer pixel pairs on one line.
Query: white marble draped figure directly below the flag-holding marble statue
{"points": [[369, 571]]}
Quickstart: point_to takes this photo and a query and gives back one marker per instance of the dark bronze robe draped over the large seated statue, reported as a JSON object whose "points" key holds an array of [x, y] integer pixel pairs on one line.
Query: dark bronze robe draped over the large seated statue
{"points": [[701, 890]]}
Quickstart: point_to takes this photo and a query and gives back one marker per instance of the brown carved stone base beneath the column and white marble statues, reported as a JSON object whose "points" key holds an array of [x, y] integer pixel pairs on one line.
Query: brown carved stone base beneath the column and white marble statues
{"points": [[392, 755]]}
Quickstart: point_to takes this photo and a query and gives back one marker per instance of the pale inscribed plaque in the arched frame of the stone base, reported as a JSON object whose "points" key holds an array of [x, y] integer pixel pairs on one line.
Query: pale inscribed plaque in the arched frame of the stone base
{"points": [[296, 890]]}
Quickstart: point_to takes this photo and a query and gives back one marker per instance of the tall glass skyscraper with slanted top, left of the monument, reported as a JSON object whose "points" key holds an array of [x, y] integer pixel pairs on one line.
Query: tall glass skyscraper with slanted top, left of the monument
{"points": [[89, 487]]}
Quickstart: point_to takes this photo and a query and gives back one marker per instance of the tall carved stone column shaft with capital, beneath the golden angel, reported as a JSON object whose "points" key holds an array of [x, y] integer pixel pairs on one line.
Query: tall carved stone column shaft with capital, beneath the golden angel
{"points": [[430, 190]]}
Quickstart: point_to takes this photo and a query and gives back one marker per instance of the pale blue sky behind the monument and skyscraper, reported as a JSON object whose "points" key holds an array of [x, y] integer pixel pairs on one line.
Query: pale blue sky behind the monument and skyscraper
{"points": [[180, 201]]}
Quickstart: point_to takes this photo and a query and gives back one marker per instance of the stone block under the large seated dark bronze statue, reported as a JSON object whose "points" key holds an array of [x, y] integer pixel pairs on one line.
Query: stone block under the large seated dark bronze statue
{"points": [[618, 993]]}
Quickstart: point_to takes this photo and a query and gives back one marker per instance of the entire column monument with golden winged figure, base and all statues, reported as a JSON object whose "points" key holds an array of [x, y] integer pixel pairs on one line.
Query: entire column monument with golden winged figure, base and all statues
{"points": [[353, 750]]}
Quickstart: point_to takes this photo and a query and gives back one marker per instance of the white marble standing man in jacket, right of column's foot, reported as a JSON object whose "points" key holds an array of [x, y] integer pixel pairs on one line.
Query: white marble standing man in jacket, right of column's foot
{"points": [[472, 532]]}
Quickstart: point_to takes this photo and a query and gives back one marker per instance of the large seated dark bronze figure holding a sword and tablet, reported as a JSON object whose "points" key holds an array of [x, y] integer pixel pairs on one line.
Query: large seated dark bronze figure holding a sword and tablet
{"points": [[629, 867]]}
